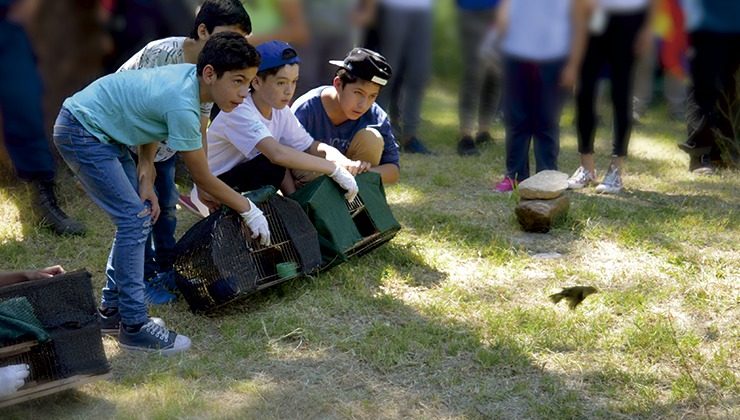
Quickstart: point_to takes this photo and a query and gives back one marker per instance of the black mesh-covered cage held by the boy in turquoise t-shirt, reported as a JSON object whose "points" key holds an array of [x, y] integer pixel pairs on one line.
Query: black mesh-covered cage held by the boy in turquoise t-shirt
{"points": [[217, 260]]}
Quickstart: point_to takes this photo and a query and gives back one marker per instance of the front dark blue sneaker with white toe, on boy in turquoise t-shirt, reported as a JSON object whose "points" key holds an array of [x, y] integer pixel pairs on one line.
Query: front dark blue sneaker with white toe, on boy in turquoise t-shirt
{"points": [[153, 337]]}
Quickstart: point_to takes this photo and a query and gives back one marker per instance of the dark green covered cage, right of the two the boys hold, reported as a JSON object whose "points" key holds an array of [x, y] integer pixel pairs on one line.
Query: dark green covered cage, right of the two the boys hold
{"points": [[348, 229]]}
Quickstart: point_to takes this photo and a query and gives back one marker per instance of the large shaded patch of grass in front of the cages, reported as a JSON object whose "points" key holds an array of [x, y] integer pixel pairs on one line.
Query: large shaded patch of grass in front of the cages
{"points": [[338, 346]]}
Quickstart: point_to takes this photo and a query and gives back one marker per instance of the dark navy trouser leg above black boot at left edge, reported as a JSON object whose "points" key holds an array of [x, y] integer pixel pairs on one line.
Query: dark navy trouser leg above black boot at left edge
{"points": [[21, 108]]}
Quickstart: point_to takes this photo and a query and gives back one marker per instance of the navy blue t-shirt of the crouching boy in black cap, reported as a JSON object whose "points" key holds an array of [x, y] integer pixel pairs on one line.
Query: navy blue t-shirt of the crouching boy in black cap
{"points": [[311, 113]]}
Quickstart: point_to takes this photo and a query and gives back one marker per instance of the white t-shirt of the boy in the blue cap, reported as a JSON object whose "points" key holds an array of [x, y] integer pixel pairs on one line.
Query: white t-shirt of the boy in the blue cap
{"points": [[233, 136]]}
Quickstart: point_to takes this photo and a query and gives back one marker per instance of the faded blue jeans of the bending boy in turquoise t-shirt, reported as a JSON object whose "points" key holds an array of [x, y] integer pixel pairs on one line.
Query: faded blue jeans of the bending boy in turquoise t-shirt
{"points": [[108, 174]]}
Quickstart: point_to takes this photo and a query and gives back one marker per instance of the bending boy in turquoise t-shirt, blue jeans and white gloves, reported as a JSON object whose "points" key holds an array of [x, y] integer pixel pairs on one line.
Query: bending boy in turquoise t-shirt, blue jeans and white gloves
{"points": [[139, 108]]}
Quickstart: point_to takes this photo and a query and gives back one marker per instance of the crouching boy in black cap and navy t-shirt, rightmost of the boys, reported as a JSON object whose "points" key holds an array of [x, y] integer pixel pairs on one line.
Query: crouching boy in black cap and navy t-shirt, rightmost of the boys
{"points": [[345, 115]]}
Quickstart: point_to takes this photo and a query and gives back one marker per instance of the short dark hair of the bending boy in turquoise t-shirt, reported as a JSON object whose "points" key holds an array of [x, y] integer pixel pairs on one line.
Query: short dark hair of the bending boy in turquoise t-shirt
{"points": [[227, 51]]}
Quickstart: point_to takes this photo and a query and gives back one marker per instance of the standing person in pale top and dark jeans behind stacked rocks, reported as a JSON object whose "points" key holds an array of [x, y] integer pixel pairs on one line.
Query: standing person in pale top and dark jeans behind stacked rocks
{"points": [[543, 43]]}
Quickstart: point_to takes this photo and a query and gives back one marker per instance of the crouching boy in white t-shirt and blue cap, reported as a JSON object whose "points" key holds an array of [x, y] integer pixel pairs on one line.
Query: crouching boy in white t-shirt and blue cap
{"points": [[252, 146]]}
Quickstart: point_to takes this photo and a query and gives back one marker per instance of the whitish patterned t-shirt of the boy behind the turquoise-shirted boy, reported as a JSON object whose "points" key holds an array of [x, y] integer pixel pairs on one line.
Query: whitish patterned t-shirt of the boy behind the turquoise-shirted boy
{"points": [[158, 53]]}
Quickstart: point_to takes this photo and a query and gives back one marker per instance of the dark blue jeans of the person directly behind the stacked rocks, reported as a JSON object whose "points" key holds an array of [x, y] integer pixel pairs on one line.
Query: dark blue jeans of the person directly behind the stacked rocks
{"points": [[532, 104]]}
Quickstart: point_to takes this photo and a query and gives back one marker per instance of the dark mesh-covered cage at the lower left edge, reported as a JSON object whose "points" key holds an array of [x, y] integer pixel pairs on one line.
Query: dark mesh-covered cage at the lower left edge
{"points": [[67, 349]]}
